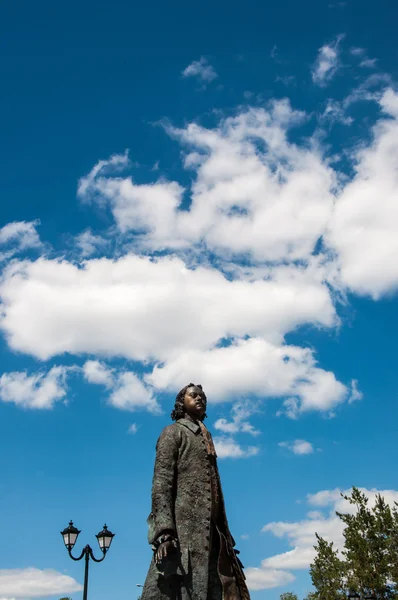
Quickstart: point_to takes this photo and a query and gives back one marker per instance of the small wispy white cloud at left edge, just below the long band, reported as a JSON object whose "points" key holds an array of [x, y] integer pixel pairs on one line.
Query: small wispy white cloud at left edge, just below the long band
{"points": [[38, 391]]}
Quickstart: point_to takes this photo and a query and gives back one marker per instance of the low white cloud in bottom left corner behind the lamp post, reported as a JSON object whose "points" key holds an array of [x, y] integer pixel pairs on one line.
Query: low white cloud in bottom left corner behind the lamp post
{"points": [[35, 583]]}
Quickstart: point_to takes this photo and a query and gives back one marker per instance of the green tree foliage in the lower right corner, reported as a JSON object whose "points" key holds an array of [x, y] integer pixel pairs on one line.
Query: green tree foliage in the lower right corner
{"points": [[369, 563]]}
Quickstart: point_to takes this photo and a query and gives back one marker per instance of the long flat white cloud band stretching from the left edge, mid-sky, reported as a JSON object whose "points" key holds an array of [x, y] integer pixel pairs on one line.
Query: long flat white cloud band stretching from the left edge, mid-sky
{"points": [[139, 308]]}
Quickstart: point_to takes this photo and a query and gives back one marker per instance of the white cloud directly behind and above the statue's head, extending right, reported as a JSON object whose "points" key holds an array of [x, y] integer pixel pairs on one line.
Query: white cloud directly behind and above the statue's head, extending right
{"points": [[256, 367]]}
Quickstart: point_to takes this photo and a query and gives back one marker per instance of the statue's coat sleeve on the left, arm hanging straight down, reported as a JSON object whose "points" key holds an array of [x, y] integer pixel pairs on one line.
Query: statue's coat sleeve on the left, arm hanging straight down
{"points": [[163, 485]]}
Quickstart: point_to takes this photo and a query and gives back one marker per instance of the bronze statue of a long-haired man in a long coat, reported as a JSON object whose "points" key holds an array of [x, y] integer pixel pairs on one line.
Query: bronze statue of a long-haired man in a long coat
{"points": [[194, 556]]}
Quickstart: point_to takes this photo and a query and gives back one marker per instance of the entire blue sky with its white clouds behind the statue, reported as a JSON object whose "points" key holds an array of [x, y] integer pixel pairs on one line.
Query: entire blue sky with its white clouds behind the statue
{"points": [[203, 194]]}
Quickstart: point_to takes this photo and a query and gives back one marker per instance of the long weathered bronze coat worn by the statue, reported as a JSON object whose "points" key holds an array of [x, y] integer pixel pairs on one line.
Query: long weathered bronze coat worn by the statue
{"points": [[182, 504]]}
